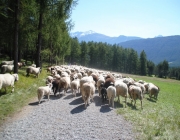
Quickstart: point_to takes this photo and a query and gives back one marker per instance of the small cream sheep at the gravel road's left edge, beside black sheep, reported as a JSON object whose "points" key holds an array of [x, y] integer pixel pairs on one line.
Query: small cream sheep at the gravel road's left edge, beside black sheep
{"points": [[44, 90]]}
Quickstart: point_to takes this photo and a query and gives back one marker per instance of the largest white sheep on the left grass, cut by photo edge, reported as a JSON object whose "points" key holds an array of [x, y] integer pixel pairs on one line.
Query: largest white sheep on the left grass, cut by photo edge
{"points": [[8, 80]]}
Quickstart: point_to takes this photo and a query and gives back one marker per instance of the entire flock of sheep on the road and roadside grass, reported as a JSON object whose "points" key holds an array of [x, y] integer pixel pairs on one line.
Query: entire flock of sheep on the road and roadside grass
{"points": [[85, 81]]}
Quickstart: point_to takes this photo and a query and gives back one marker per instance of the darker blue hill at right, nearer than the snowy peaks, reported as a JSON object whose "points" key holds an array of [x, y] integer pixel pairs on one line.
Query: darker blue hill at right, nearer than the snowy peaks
{"points": [[158, 49]]}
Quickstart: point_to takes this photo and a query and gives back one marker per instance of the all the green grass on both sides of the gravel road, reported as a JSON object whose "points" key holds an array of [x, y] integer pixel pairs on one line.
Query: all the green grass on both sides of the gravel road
{"points": [[157, 120]]}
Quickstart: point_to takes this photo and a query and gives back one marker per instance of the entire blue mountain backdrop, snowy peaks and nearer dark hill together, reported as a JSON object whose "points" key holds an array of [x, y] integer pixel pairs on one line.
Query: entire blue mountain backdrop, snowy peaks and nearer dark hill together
{"points": [[157, 49]]}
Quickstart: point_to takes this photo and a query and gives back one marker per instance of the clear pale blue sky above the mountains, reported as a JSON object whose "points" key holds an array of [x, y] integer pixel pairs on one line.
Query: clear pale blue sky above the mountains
{"points": [[142, 18]]}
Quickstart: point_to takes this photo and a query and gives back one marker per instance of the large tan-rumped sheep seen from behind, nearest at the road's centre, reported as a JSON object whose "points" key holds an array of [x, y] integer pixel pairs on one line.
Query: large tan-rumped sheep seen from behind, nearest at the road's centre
{"points": [[88, 90]]}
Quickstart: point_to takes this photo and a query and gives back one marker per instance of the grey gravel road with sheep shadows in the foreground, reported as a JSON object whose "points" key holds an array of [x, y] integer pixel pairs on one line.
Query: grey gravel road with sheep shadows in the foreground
{"points": [[65, 118]]}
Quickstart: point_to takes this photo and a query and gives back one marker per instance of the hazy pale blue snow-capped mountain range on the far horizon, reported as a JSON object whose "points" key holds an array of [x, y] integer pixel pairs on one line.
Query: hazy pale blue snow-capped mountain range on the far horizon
{"points": [[97, 37]]}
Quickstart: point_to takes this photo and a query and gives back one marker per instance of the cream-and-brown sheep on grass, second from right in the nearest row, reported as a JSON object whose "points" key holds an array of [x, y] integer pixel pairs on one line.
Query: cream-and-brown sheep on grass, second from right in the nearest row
{"points": [[135, 92]]}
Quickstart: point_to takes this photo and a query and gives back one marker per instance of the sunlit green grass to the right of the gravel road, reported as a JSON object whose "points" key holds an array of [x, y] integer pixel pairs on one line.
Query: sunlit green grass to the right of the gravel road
{"points": [[159, 119]]}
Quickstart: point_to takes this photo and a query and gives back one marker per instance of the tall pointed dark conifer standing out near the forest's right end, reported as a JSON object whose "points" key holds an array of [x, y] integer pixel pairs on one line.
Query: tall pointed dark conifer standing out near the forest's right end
{"points": [[143, 63]]}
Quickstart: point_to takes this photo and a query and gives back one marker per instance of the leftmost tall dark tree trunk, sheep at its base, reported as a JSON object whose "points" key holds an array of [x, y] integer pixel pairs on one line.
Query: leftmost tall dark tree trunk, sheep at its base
{"points": [[16, 36]]}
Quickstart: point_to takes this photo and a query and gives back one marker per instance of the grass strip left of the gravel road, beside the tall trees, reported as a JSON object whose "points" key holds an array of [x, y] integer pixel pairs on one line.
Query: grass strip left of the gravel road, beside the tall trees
{"points": [[25, 90]]}
